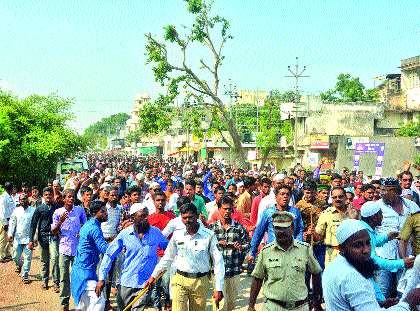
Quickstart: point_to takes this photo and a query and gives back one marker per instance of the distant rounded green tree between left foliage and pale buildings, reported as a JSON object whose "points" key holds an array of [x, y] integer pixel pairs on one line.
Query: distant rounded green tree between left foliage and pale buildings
{"points": [[99, 131]]}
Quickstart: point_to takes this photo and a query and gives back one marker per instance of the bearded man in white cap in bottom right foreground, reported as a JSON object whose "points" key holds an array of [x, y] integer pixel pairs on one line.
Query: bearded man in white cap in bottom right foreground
{"points": [[346, 280]]}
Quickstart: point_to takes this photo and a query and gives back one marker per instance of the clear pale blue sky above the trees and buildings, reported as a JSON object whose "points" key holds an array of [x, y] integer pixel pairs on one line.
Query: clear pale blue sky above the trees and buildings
{"points": [[93, 51]]}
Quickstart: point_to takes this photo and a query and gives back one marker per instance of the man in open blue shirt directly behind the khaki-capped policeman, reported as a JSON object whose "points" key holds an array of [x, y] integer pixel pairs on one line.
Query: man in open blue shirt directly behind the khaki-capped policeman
{"points": [[282, 193]]}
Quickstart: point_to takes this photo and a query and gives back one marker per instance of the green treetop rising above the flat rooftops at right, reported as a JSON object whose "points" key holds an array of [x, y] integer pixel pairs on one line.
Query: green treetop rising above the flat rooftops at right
{"points": [[349, 89]]}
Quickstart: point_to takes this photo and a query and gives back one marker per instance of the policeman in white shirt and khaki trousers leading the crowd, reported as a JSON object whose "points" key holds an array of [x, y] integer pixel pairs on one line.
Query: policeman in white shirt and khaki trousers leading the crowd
{"points": [[193, 251]]}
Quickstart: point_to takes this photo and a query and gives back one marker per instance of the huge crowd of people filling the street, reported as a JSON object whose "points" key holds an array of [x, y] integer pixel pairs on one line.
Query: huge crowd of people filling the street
{"points": [[166, 231]]}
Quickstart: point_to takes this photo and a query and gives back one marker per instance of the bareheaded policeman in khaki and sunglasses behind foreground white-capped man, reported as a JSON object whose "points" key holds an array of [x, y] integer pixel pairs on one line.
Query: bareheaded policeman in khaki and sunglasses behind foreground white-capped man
{"points": [[329, 221]]}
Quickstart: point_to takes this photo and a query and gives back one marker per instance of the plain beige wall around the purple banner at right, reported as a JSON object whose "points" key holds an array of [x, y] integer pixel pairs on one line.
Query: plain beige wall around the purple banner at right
{"points": [[397, 151]]}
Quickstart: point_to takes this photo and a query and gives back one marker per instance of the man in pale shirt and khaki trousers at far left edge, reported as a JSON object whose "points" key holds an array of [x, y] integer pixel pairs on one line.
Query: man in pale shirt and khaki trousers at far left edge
{"points": [[7, 205]]}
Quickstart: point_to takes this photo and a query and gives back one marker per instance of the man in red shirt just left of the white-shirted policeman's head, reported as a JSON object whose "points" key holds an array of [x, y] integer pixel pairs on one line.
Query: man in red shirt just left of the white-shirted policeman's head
{"points": [[160, 219]]}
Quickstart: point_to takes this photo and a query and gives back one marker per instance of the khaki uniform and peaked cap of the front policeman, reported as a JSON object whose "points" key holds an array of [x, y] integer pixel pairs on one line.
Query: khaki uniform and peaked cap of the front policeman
{"points": [[283, 272]]}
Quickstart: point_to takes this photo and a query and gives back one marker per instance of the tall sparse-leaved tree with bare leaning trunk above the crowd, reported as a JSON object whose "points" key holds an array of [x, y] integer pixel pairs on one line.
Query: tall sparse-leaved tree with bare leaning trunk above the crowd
{"points": [[212, 33]]}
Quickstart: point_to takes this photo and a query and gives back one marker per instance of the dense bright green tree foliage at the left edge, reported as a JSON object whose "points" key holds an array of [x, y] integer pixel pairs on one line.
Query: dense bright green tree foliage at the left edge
{"points": [[33, 135]]}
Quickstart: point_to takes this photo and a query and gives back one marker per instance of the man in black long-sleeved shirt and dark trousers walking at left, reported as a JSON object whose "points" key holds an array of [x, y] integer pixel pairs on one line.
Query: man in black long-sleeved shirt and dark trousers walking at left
{"points": [[42, 220]]}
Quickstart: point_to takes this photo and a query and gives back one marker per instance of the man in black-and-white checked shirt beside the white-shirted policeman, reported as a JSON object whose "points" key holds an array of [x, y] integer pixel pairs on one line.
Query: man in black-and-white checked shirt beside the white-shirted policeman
{"points": [[233, 242]]}
